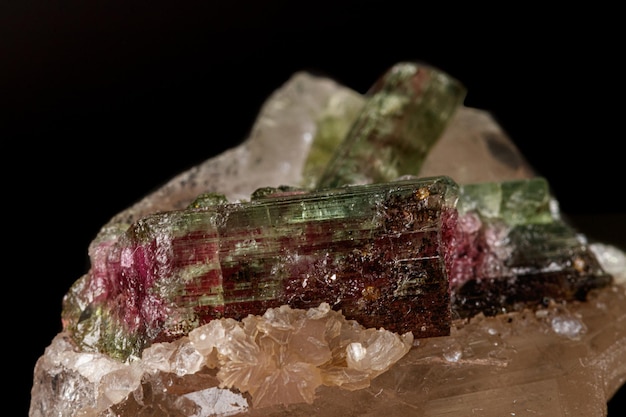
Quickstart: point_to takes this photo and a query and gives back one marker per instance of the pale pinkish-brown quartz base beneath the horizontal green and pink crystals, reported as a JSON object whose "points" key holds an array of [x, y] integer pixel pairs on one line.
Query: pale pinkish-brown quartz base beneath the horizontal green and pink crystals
{"points": [[563, 360]]}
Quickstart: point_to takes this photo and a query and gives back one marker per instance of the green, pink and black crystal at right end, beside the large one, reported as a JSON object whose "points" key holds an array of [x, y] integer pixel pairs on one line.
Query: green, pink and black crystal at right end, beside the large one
{"points": [[514, 250]]}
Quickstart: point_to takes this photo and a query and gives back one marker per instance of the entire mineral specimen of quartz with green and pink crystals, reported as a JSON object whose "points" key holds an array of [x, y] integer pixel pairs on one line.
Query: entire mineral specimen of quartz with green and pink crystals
{"points": [[396, 241]]}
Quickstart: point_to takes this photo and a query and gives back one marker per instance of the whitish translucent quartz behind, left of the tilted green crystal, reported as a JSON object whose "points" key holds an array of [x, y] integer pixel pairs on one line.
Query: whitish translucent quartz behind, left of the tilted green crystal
{"points": [[305, 114]]}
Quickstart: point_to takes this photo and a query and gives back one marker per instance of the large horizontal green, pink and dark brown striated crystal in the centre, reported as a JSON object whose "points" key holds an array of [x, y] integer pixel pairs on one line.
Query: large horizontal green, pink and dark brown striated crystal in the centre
{"points": [[376, 252]]}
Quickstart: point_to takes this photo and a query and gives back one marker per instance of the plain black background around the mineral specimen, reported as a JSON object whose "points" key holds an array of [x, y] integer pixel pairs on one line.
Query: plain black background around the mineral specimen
{"points": [[103, 101]]}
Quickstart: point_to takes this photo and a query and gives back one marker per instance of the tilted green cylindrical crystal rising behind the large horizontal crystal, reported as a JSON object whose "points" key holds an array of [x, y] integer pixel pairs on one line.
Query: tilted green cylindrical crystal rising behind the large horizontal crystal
{"points": [[405, 113]]}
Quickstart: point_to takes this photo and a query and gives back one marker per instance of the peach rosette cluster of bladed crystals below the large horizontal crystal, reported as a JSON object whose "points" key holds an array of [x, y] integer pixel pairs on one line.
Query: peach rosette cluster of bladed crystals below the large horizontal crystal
{"points": [[283, 356]]}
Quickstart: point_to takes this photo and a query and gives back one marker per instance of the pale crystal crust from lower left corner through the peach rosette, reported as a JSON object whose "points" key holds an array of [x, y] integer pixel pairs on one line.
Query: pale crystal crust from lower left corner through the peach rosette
{"points": [[281, 357]]}
